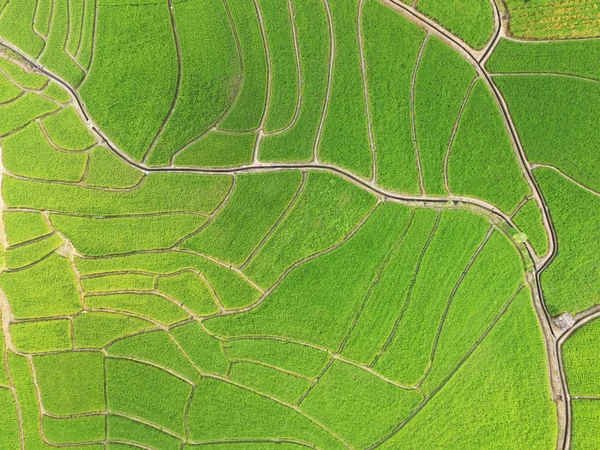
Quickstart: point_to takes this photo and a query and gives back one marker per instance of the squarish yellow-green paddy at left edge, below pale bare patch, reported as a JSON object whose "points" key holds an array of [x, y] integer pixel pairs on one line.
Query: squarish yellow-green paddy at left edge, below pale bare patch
{"points": [[45, 289]]}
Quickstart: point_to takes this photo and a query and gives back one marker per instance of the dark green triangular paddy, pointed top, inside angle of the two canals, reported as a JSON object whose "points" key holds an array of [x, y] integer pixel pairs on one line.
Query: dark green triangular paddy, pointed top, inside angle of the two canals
{"points": [[482, 162]]}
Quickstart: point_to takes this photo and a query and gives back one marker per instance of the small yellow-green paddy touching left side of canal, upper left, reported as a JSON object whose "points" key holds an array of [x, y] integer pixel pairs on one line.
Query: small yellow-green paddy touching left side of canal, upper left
{"points": [[67, 131]]}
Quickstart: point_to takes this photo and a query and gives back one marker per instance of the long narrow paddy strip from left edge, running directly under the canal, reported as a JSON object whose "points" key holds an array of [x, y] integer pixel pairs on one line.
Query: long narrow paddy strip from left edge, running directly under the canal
{"points": [[158, 193]]}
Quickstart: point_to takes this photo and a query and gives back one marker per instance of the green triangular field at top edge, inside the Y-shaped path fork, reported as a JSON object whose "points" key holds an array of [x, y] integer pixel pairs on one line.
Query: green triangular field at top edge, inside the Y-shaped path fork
{"points": [[471, 20]]}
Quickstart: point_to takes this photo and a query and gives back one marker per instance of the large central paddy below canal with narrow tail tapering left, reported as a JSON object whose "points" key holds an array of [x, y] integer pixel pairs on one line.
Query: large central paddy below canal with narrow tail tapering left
{"points": [[320, 295]]}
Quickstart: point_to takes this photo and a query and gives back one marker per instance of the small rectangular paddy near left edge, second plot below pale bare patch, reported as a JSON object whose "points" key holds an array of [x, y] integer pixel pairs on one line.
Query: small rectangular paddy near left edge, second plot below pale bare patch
{"points": [[42, 336]]}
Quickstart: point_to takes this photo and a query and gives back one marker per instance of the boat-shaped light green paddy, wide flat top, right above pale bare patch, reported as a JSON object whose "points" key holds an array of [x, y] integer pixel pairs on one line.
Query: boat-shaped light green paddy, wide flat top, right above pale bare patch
{"points": [[123, 235]]}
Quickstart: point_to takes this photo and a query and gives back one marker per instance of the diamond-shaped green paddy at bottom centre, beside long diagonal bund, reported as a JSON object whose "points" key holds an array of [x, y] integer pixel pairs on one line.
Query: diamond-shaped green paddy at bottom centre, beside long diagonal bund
{"points": [[358, 405]]}
